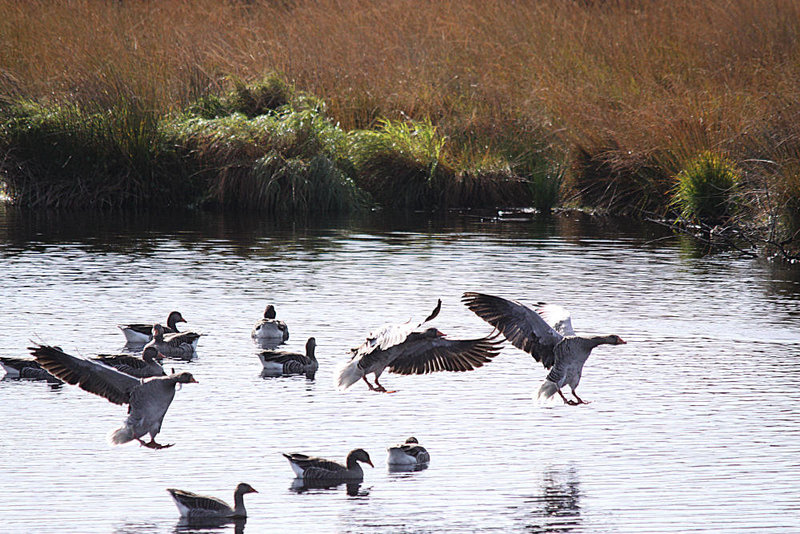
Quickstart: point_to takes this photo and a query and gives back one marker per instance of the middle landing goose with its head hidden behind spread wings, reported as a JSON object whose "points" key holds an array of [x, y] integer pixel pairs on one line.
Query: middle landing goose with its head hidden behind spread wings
{"points": [[405, 349]]}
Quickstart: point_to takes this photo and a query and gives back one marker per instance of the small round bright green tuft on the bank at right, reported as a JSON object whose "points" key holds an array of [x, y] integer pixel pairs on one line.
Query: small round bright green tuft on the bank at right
{"points": [[706, 189]]}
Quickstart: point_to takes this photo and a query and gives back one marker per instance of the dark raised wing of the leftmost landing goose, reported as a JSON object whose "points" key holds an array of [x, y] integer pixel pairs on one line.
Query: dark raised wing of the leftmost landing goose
{"points": [[89, 375]]}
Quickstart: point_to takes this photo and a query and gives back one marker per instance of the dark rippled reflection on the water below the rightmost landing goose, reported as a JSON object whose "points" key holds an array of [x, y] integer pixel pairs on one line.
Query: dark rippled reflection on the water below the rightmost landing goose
{"points": [[556, 509]]}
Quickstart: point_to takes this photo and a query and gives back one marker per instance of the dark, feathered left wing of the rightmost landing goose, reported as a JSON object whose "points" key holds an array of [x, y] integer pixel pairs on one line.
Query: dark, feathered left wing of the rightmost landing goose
{"points": [[522, 326]]}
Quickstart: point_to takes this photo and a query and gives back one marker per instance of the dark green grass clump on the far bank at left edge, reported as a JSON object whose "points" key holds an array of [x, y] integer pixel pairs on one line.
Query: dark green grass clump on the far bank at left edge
{"points": [[64, 156]]}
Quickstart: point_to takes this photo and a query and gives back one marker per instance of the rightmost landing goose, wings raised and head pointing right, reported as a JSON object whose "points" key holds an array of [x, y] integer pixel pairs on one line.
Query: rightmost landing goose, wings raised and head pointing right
{"points": [[546, 334]]}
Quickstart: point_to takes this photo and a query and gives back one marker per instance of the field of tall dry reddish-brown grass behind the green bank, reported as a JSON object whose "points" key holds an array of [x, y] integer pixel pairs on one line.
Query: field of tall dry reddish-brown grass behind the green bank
{"points": [[631, 85]]}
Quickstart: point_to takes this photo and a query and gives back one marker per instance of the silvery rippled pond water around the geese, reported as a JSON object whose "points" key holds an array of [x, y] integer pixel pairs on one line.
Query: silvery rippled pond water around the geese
{"points": [[694, 425]]}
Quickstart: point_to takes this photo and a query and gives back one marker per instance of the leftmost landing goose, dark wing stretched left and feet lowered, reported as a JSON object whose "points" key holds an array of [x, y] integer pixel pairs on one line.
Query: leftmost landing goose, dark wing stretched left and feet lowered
{"points": [[147, 399]]}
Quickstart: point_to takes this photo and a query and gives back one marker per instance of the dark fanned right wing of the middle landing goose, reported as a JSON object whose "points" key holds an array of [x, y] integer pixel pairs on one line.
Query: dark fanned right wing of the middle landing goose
{"points": [[427, 355]]}
